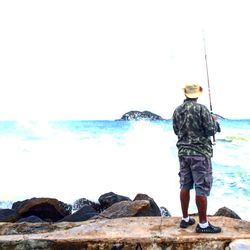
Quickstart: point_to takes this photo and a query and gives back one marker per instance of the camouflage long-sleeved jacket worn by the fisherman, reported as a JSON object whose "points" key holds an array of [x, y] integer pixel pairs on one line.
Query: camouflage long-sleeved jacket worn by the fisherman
{"points": [[194, 125]]}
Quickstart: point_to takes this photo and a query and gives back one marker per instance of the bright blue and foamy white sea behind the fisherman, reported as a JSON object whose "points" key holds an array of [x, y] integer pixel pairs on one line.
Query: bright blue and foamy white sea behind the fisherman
{"points": [[73, 159]]}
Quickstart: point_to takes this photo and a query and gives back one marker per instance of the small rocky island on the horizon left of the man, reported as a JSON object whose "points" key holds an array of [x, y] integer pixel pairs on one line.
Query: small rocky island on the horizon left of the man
{"points": [[138, 115]]}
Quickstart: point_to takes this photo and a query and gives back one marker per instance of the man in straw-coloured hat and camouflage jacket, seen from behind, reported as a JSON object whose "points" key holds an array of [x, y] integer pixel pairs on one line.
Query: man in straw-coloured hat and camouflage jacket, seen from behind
{"points": [[194, 125]]}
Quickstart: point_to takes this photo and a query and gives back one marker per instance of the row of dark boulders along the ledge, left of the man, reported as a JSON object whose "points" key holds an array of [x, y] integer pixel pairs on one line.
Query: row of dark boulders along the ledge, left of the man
{"points": [[109, 205]]}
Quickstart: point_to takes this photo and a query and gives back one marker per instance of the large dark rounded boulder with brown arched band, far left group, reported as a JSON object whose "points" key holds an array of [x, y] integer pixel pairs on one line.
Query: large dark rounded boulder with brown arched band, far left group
{"points": [[47, 209]]}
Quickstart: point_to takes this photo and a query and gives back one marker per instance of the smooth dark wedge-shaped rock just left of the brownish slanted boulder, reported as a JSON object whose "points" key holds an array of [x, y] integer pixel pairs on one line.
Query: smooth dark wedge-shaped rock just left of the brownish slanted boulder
{"points": [[84, 213]]}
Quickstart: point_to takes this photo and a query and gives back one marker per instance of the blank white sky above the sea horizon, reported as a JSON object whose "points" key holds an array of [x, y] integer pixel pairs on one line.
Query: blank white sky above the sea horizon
{"points": [[100, 59]]}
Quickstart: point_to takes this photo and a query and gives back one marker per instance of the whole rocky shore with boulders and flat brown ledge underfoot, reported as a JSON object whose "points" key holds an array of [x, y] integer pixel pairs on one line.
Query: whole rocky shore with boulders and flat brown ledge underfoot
{"points": [[114, 222]]}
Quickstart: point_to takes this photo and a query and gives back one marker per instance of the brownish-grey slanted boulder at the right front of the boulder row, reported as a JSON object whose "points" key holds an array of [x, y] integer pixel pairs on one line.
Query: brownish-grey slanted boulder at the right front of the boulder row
{"points": [[124, 209]]}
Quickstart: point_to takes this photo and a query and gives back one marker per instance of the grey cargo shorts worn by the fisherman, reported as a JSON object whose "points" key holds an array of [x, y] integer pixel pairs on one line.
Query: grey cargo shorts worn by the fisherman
{"points": [[196, 171]]}
